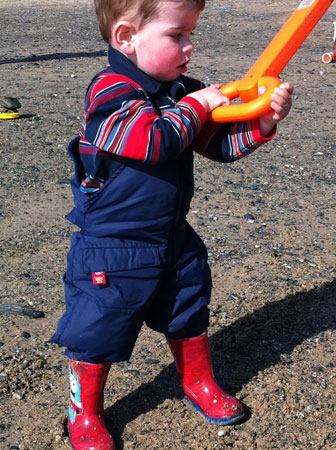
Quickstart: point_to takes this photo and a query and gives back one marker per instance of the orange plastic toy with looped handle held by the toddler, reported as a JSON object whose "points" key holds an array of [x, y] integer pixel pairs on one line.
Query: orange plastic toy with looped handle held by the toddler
{"points": [[269, 65]]}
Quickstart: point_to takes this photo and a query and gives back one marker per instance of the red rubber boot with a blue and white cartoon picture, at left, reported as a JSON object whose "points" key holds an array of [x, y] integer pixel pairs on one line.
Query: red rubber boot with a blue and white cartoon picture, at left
{"points": [[86, 412]]}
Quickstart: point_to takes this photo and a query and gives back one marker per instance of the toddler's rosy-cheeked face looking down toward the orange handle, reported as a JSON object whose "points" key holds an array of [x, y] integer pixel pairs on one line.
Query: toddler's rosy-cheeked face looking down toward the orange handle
{"points": [[162, 47]]}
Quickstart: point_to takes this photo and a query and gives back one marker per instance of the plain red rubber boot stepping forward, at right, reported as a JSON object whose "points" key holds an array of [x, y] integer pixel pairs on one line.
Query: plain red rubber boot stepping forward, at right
{"points": [[192, 359]]}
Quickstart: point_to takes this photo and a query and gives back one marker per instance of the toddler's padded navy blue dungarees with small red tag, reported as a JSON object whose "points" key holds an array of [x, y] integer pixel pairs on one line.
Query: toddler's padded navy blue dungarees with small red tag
{"points": [[135, 230]]}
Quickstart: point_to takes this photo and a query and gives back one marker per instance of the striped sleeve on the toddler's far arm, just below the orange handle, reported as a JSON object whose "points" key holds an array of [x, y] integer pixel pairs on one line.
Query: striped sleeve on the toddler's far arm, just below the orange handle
{"points": [[231, 141]]}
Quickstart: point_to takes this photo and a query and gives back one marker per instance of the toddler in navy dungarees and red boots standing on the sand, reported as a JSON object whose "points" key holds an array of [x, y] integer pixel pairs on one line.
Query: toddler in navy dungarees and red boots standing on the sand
{"points": [[136, 259]]}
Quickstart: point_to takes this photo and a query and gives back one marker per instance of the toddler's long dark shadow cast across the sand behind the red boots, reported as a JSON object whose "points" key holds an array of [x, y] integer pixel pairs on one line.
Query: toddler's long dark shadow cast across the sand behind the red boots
{"points": [[239, 351]]}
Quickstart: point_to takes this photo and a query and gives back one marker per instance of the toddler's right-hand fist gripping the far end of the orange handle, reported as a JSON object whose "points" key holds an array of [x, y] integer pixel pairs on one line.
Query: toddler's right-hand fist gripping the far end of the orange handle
{"points": [[281, 105]]}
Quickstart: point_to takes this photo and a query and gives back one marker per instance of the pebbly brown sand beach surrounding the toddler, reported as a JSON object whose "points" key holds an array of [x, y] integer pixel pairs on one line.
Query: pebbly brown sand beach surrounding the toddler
{"points": [[268, 222]]}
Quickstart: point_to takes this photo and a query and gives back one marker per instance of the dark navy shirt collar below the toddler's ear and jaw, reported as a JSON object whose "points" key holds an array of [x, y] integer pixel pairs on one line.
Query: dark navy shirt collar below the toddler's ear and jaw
{"points": [[122, 65]]}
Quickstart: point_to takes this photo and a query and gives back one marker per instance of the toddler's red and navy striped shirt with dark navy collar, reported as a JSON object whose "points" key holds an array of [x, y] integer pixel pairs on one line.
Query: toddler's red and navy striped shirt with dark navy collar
{"points": [[140, 118]]}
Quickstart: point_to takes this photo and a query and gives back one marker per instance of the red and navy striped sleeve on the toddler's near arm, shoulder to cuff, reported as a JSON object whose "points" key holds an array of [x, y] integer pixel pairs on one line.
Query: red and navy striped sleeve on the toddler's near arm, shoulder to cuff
{"points": [[121, 120]]}
